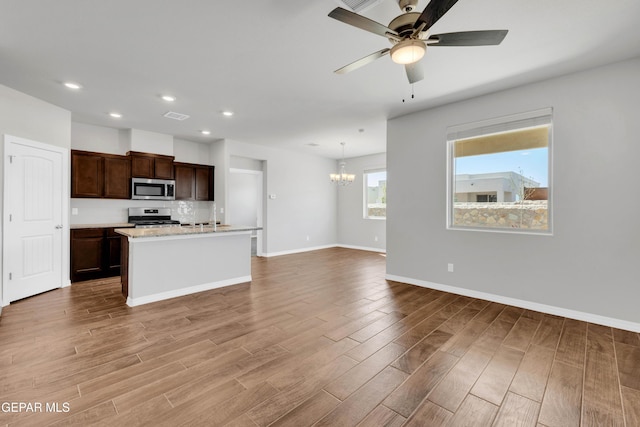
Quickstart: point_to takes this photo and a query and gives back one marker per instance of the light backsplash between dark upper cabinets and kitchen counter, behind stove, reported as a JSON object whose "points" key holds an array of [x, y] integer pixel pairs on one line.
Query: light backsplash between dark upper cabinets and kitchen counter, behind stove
{"points": [[107, 211]]}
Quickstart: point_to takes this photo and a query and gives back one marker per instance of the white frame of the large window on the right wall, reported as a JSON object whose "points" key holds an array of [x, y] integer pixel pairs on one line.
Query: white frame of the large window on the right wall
{"points": [[493, 126]]}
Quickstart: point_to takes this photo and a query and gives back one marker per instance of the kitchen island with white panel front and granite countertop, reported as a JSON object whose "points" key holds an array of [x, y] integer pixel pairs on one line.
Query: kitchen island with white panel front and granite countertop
{"points": [[163, 263]]}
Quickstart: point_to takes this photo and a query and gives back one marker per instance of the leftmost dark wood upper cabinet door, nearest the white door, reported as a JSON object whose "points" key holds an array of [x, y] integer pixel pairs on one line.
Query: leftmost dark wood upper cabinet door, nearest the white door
{"points": [[87, 172]]}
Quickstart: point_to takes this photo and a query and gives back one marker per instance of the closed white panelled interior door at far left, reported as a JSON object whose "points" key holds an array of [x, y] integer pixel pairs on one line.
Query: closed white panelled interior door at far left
{"points": [[33, 220]]}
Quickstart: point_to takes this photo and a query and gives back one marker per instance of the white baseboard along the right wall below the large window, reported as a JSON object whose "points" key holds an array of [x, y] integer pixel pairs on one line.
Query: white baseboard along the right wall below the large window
{"points": [[549, 309]]}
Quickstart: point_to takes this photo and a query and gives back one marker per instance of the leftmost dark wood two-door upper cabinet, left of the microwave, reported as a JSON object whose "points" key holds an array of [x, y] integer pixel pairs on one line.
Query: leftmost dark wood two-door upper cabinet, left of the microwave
{"points": [[100, 175]]}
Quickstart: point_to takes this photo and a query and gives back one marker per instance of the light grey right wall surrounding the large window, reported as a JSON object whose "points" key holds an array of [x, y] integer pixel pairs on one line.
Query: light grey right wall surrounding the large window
{"points": [[589, 265]]}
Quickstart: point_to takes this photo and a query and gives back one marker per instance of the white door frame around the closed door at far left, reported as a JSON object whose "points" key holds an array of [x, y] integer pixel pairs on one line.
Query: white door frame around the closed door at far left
{"points": [[64, 259]]}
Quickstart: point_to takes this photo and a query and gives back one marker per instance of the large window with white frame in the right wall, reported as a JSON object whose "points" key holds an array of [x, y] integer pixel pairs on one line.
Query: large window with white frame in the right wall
{"points": [[499, 174]]}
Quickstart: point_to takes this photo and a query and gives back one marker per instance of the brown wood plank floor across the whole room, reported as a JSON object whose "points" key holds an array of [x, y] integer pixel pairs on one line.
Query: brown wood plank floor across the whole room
{"points": [[318, 338]]}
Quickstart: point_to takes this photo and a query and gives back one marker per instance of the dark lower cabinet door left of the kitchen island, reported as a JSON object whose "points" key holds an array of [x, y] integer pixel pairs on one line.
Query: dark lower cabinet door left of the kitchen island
{"points": [[87, 254]]}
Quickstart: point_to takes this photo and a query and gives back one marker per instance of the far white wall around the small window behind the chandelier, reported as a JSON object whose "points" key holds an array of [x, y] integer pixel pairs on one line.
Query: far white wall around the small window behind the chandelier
{"points": [[353, 229]]}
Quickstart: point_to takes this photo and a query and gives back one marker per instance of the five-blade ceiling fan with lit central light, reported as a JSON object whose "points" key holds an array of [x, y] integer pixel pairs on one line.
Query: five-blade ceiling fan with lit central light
{"points": [[409, 34]]}
